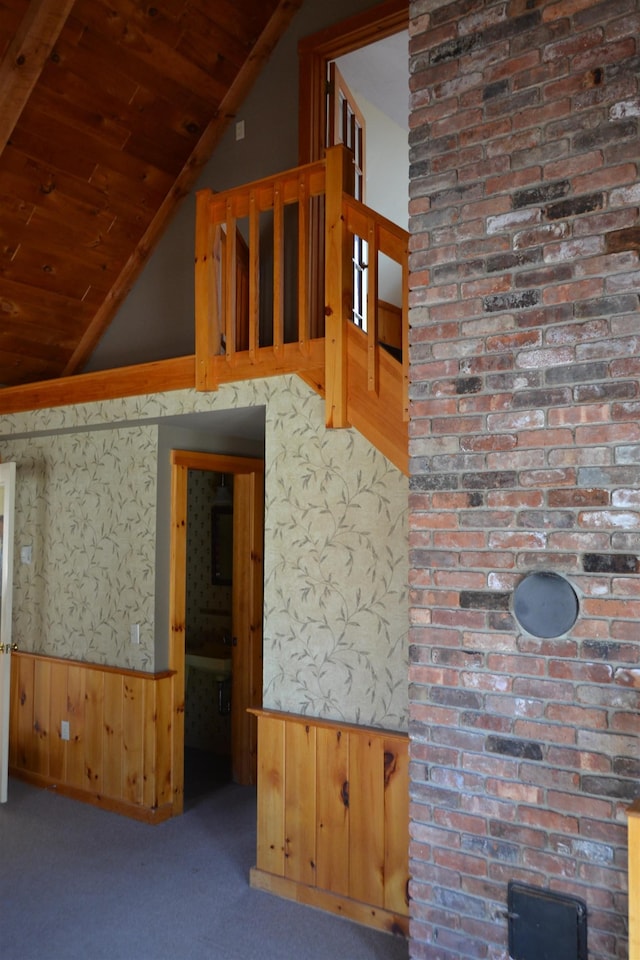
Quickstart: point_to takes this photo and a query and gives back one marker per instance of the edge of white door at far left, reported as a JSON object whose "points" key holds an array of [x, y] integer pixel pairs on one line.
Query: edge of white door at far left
{"points": [[7, 496]]}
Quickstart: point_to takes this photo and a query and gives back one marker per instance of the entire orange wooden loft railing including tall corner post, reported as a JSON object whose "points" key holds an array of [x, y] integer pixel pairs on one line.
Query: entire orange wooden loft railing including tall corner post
{"points": [[274, 283]]}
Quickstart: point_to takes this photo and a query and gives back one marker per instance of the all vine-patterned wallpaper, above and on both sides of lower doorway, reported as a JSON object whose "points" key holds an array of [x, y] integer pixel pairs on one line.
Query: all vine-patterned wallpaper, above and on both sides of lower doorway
{"points": [[336, 556]]}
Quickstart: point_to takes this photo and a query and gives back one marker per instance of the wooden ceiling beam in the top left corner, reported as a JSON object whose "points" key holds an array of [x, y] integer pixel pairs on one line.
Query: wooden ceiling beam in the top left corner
{"points": [[25, 58]]}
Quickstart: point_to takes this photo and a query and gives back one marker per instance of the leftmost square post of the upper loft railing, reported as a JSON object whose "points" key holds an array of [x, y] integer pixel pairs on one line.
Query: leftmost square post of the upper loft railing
{"points": [[207, 312]]}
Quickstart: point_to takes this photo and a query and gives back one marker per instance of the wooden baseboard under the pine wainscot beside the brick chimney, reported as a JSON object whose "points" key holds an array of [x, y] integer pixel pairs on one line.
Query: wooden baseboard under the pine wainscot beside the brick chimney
{"points": [[333, 903]]}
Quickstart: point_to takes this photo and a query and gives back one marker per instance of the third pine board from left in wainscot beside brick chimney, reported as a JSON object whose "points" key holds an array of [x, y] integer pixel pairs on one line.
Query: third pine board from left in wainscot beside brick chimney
{"points": [[333, 810]]}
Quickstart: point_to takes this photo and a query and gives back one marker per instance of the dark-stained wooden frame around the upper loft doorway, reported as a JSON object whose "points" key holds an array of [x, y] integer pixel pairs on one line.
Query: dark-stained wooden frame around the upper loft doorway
{"points": [[317, 50]]}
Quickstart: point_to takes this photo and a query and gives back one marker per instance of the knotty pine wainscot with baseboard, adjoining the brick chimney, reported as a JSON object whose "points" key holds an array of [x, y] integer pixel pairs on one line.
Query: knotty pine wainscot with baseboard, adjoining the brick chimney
{"points": [[333, 817]]}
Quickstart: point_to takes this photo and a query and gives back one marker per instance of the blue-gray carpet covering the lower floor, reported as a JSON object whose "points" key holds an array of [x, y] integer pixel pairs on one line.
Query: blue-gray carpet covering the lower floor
{"points": [[77, 883]]}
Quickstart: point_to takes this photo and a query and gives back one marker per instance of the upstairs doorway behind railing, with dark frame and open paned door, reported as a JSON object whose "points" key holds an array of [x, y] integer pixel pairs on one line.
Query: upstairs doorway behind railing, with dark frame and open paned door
{"points": [[354, 90]]}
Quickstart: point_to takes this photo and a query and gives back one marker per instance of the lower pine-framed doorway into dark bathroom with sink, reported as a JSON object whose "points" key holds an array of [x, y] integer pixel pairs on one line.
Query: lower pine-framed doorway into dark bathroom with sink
{"points": [[216, 617]]}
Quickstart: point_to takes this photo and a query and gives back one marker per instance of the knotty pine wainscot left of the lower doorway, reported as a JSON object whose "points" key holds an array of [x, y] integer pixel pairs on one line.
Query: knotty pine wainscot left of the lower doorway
{"points": [[118, 755]]}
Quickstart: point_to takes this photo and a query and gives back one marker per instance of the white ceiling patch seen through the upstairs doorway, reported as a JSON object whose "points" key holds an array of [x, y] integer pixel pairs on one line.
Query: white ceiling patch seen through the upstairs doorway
{"points": [[380, 72]]}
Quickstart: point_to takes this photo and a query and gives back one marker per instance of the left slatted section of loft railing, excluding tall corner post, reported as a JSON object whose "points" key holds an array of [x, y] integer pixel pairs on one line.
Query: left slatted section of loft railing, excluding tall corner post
{"points": [[237, 232]]}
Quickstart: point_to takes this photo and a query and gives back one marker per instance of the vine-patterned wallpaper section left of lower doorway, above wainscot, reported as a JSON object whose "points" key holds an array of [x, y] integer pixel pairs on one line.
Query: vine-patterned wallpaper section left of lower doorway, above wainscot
{"points": [[83, 503]]}
